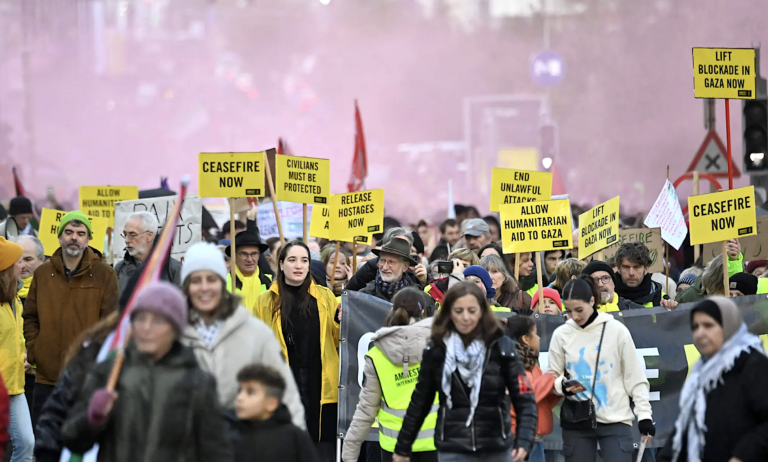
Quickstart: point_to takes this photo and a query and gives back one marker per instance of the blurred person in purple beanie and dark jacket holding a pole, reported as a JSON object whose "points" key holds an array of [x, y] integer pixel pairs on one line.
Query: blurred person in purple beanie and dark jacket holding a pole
{"points": [[162, 397]]}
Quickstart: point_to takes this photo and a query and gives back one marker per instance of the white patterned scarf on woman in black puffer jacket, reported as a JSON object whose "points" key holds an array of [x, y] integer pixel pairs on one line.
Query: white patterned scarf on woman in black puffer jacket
{"points": [[469, 361]]}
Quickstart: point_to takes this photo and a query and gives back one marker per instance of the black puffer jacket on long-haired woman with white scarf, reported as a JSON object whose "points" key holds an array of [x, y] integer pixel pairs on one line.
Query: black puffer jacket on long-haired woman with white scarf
{"points": [[491, 429]]}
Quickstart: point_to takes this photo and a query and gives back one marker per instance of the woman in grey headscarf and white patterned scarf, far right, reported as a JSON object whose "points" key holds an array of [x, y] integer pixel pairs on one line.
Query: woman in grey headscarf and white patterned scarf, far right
{"points": [[723, 413]]}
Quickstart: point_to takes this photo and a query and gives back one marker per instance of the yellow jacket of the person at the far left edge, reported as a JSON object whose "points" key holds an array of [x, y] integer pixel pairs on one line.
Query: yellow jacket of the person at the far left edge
{"points": [[12, 347]]}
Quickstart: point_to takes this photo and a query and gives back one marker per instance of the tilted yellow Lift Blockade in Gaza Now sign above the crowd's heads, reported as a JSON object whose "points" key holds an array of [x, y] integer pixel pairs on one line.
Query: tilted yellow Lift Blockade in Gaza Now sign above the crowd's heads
{"points": [[598, 227]]}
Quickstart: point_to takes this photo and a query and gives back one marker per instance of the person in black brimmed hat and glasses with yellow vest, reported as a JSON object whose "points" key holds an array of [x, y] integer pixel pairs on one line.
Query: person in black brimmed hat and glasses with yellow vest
{"points": [[250, 283]]}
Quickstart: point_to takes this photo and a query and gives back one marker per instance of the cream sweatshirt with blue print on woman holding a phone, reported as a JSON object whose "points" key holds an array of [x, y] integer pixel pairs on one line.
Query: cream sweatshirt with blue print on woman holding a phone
{"points": [[620, 375]]}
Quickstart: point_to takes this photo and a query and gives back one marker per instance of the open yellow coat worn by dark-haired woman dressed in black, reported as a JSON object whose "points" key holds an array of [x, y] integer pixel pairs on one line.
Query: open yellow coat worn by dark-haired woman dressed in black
{"points": [[330, 333]]}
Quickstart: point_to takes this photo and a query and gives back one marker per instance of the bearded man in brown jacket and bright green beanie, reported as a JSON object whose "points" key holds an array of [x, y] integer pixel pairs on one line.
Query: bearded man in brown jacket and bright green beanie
{"points": [[69, 293]]}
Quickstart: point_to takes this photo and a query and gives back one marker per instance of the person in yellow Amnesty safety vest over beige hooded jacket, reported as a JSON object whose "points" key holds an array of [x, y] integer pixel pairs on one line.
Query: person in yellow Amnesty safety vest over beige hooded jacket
{"points": [[391, 371]]}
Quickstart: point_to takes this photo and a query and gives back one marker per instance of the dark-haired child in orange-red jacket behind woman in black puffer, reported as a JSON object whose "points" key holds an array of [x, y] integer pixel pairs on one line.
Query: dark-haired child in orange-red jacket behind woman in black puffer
{"points": [[523, 329]]}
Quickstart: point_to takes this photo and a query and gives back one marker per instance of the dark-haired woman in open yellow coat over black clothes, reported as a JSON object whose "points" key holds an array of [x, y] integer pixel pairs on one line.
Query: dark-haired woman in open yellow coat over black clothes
{"points": [[303, 317]]}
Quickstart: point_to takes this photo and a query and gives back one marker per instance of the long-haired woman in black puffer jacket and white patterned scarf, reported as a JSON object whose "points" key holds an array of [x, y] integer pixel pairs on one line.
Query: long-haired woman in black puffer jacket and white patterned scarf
{"points": [[471, 364]]}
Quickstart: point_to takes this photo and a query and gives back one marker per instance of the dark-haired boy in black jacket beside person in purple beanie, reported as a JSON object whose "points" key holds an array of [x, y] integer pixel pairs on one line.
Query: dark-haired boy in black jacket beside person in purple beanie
{"points": [[264, 429]]}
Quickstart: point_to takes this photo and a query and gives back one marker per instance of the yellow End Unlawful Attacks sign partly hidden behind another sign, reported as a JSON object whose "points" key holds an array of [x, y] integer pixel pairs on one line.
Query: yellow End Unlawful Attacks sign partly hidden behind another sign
{"points": [[518, 186]]}
